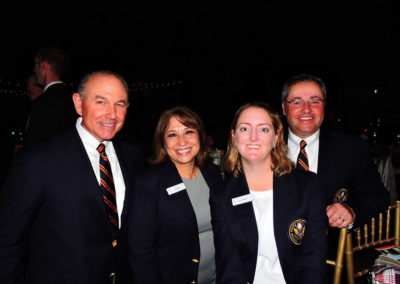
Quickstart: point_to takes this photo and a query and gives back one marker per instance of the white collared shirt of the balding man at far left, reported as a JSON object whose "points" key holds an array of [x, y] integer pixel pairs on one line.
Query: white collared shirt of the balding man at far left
{"points": [[90, 143]]}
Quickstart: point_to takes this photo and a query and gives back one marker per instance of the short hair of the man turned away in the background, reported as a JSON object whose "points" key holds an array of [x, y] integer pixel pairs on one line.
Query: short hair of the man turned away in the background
{"points": [[56, 58]]}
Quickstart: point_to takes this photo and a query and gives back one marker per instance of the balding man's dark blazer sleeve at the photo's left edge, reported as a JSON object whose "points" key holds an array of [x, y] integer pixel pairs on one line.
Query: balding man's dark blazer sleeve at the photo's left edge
{"points": [[19, 203]]}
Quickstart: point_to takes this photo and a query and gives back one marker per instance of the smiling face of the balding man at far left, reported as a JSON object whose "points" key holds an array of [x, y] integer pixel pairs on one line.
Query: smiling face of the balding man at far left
{"points": [[104, 106]]}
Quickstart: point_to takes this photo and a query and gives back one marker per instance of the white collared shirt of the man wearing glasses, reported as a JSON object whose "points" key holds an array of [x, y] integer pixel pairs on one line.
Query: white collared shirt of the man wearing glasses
{"points": [[312, 149]]}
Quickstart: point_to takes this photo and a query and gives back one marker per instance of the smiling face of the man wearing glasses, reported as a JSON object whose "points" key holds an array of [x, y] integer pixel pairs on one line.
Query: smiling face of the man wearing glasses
{"points": [[304, 120]]}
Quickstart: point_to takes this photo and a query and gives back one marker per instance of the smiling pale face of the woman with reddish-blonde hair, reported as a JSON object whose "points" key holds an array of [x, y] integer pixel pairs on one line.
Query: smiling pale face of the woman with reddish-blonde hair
{"points": [[254, 136]]}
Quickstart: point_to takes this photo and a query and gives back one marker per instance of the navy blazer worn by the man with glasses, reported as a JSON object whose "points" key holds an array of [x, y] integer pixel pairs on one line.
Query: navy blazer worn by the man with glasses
{"points": [[344, 162]]}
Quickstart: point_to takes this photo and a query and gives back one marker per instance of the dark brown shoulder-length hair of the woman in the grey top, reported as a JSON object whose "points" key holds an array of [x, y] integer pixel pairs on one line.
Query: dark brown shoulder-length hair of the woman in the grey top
{"points": [[188, 118]]}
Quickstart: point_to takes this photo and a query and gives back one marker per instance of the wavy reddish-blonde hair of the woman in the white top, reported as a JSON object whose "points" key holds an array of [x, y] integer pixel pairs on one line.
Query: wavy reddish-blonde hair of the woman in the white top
{"points": [[281, 164]]}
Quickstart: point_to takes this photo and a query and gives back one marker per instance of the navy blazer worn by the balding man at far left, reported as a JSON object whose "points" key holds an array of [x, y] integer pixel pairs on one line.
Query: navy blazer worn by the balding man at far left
{"points": [[54, 225]]}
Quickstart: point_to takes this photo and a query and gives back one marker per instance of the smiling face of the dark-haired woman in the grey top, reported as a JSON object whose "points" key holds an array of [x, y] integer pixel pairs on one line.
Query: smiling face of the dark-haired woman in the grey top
{"points": [[181, 143]]}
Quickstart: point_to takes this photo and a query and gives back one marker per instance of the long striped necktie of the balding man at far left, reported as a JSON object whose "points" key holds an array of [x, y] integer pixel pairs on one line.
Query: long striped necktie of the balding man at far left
{"points": [[107, 186]]}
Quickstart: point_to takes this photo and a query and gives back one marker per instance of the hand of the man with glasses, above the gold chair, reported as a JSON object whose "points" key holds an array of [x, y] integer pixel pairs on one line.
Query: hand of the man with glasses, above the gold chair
{"points": [[340, 215]]}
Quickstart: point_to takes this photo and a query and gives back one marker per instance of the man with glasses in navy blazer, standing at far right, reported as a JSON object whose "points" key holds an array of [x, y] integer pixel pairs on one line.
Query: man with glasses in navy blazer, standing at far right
{"points": [[353, 188]]}
